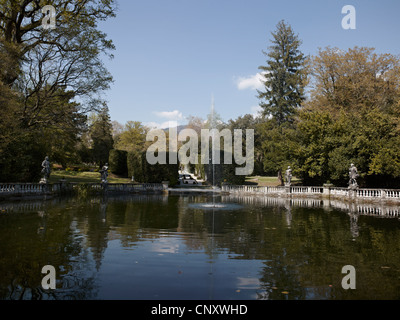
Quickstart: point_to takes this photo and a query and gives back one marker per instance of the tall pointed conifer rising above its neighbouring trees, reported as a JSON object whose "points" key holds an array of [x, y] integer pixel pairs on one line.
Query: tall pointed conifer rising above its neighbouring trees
{"points": [[286, 77]]}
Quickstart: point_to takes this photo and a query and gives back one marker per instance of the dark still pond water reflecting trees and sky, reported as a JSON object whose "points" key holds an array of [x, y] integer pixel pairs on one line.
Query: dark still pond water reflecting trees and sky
{"points": [[169, 247]]}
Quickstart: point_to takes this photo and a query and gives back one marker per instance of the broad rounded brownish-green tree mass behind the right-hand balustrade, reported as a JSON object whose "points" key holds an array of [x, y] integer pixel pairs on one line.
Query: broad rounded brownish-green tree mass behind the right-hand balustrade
{"points": [[352, 116]]}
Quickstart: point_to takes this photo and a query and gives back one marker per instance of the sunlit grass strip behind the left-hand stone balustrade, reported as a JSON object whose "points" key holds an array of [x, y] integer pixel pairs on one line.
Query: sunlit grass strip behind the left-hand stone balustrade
{"points": [[84, 177]]}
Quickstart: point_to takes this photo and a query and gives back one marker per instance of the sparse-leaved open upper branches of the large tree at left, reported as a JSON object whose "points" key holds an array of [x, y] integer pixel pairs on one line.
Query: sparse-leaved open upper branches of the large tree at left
{"points": [[66, 56]]}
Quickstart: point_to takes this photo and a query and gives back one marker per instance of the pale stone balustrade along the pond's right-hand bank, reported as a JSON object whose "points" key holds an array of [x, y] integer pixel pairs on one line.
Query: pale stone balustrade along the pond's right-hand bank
{"points": [[326, 191]]}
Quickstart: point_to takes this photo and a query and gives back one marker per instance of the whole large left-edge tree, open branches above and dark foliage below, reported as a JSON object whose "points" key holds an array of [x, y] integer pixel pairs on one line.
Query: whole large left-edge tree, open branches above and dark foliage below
{"points": [[38, 114]]}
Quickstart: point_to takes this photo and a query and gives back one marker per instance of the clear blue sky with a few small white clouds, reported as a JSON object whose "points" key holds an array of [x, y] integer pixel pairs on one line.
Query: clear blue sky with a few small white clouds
{"points": [[172, 56]]}
